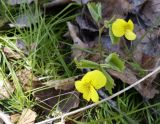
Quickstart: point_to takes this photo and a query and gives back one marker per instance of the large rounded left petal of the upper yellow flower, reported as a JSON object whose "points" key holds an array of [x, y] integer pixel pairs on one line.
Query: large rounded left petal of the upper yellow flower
{"points": [[118, 27]]}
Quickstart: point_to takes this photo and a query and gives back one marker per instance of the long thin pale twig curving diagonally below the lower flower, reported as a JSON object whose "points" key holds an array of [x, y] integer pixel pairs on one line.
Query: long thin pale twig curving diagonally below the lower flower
{"points": [[102, 101]]}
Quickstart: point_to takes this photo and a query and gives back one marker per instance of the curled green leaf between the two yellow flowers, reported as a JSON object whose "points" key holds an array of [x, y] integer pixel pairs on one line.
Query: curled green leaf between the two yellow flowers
{"points": [[113, 61]]}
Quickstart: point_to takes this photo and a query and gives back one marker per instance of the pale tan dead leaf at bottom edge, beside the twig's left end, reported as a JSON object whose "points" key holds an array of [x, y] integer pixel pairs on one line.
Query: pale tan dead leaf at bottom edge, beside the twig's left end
{"points": [[27, 117]]}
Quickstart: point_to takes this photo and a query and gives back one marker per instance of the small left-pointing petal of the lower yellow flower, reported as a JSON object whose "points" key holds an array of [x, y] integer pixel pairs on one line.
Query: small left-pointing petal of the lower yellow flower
{"points": [[81, 87]]}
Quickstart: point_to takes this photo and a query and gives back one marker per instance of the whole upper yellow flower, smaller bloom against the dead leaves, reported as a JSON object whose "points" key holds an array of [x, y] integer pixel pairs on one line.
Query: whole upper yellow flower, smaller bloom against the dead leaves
{"points": [[120, 27]]}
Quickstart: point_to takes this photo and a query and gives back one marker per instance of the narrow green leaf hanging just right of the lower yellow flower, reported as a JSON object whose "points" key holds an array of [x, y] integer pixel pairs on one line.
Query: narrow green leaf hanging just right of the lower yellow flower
{"points": [[110, 82]]}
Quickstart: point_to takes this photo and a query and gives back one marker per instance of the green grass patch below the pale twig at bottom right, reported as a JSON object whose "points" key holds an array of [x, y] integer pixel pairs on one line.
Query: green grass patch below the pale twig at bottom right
{"points": [[129, 109]]}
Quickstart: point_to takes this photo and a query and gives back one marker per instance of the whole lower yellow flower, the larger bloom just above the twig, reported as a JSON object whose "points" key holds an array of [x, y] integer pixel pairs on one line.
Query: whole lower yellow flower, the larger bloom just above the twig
{"points": [[91, 82]]}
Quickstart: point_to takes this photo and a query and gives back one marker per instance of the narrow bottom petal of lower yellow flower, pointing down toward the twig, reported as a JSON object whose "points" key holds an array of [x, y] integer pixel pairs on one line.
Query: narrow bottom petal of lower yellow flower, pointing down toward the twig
{"points": [[93, 95]]}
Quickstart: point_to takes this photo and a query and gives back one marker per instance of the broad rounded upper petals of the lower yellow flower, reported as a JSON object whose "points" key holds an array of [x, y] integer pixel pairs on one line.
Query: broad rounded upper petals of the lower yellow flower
{"points": [[96, 78]]}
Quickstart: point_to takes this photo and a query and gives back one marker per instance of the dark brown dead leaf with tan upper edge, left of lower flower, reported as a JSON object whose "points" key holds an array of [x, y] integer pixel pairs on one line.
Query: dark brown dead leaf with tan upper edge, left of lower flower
{"points": [[59, 93]]}
